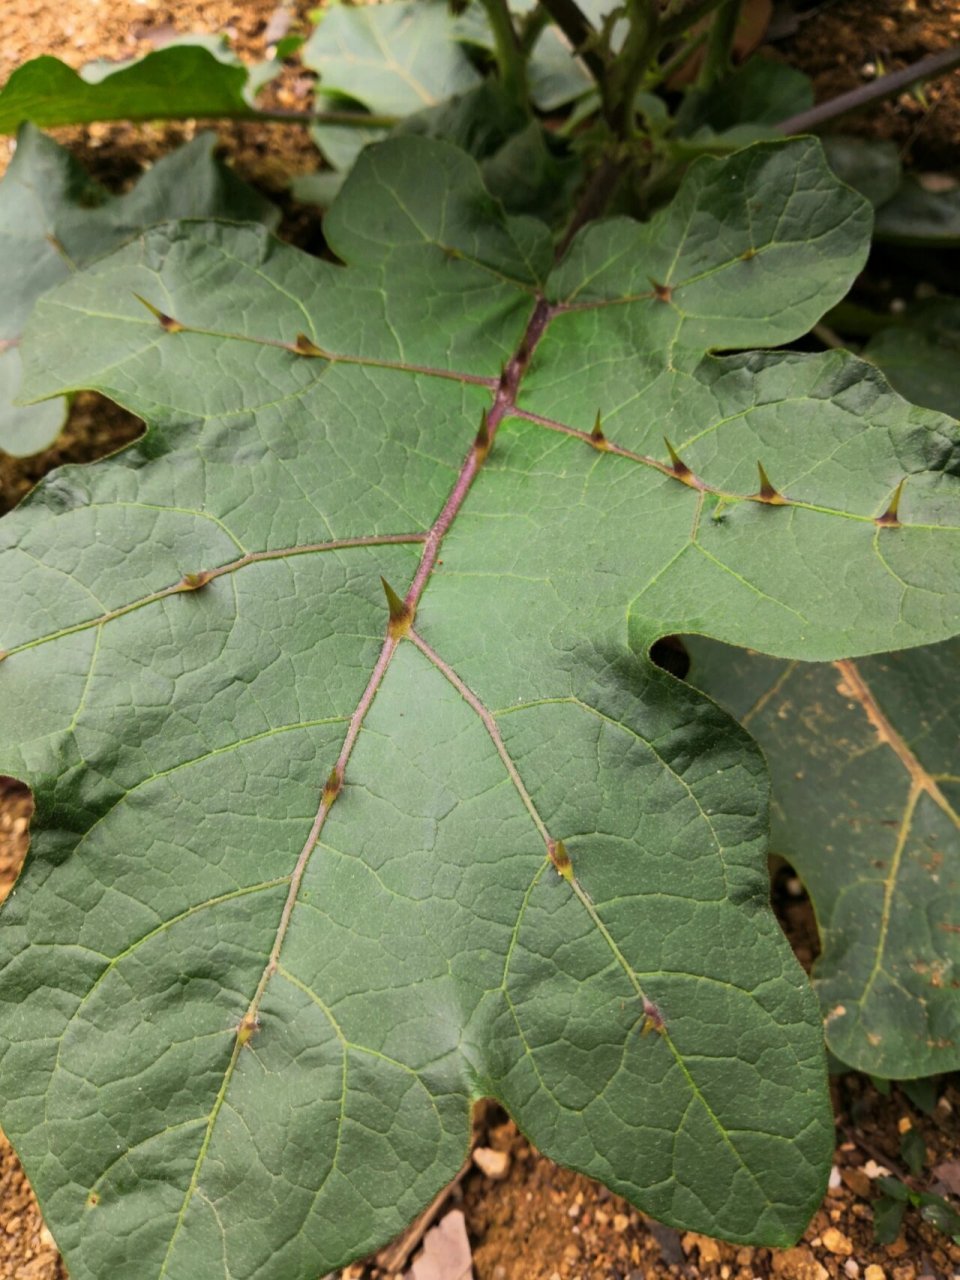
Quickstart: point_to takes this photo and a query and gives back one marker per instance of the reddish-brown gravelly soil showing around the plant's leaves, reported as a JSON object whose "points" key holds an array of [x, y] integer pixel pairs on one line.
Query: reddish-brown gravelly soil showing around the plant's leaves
{"points": [[540, 1222]]}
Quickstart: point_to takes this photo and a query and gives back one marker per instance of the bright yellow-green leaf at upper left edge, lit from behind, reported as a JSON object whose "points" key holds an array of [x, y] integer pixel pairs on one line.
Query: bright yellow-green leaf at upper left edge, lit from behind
{"points": [[172, 84]]}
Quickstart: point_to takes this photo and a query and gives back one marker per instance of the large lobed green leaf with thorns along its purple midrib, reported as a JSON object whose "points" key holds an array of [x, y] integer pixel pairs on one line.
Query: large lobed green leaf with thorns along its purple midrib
{"points": [[310, 875]]}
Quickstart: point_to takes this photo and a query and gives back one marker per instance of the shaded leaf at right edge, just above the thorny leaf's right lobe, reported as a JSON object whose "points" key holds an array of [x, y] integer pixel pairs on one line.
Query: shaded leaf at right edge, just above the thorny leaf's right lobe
{"points": [[921, 354]]}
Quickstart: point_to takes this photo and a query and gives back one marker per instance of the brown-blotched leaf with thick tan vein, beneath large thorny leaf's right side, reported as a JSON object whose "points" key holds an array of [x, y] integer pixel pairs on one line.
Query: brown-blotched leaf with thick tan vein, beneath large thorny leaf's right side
{"points": [[863, 758]]}
